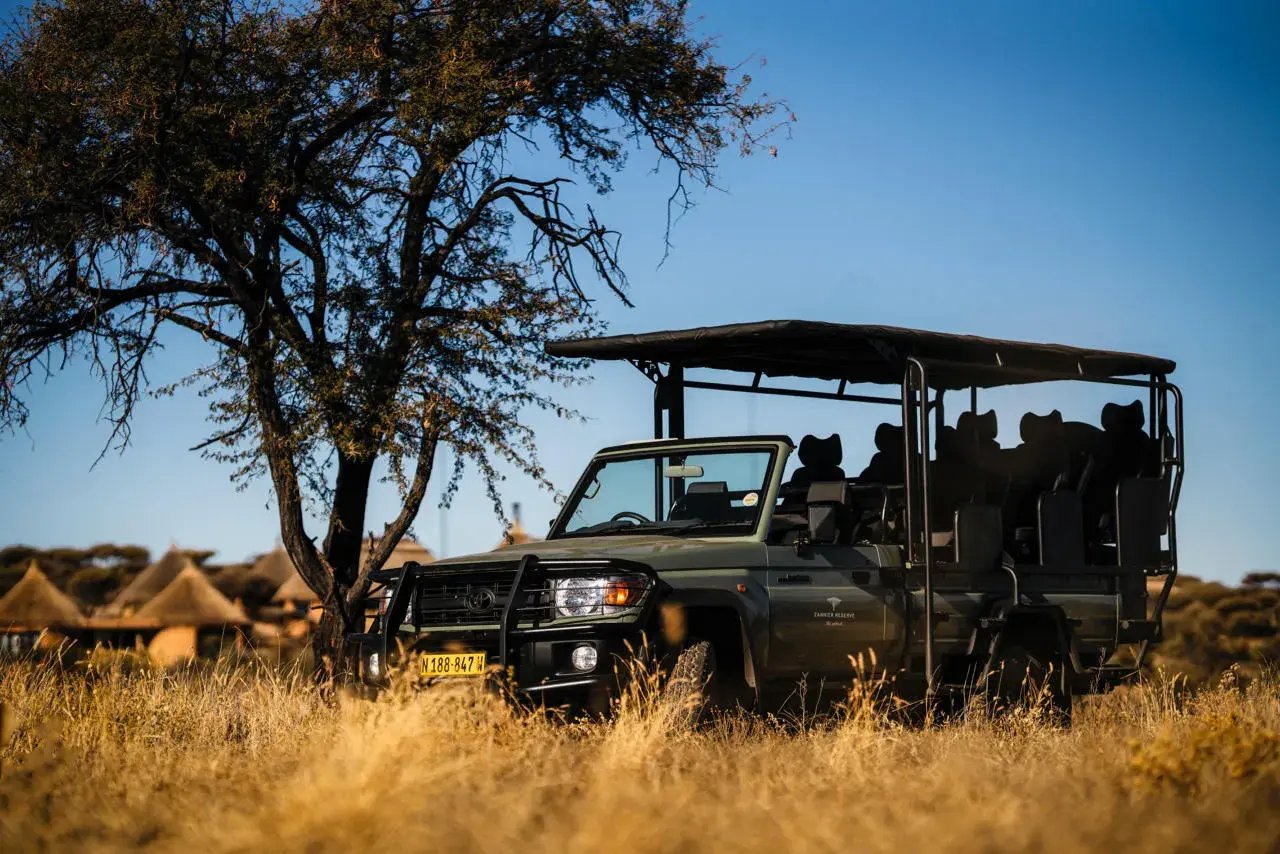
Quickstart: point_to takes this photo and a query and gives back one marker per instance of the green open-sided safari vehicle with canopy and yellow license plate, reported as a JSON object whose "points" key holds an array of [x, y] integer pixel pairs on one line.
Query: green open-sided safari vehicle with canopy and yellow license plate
{"points": [[956, 563]]}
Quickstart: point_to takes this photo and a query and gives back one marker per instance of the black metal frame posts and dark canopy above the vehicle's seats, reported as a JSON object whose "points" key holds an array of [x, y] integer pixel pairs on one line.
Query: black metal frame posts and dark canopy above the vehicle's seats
{"points": [[921, 367]]}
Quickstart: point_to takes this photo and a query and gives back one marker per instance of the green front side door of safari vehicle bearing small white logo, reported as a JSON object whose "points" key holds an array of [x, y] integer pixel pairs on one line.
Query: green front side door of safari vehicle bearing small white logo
{"points": [[826, 605]]}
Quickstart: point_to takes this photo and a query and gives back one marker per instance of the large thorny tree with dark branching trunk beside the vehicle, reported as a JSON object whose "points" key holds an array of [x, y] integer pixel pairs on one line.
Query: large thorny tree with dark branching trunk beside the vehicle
{"points": [[346, 202]]}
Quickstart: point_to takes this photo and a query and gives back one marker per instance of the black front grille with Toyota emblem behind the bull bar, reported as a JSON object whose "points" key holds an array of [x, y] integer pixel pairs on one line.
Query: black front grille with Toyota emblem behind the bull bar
{"points": [[474, 599]]}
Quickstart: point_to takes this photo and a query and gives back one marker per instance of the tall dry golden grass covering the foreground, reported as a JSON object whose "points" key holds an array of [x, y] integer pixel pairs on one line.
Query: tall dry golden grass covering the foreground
{"points": [[228, 759]]}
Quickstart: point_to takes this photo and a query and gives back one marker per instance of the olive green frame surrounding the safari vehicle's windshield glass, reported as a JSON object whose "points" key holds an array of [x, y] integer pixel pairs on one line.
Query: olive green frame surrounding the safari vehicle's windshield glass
{"points": [[778, 447]]}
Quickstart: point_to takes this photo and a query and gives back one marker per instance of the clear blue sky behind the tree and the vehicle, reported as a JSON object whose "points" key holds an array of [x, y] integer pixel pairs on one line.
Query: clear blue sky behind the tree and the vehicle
{"points": [[1092, 173]]}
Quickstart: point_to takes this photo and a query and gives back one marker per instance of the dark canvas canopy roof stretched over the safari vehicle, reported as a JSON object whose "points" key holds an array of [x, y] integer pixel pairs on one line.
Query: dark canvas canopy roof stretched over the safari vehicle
{"points": [[862, 354]]}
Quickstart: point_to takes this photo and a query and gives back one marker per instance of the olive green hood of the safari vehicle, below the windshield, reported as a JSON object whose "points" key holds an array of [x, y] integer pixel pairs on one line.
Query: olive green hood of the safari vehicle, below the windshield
{"points": [[661, 552]]}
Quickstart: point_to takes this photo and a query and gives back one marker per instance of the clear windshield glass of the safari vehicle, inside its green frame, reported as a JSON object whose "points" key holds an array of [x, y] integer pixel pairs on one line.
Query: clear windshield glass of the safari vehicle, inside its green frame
{"points": [[705, 492]]}
